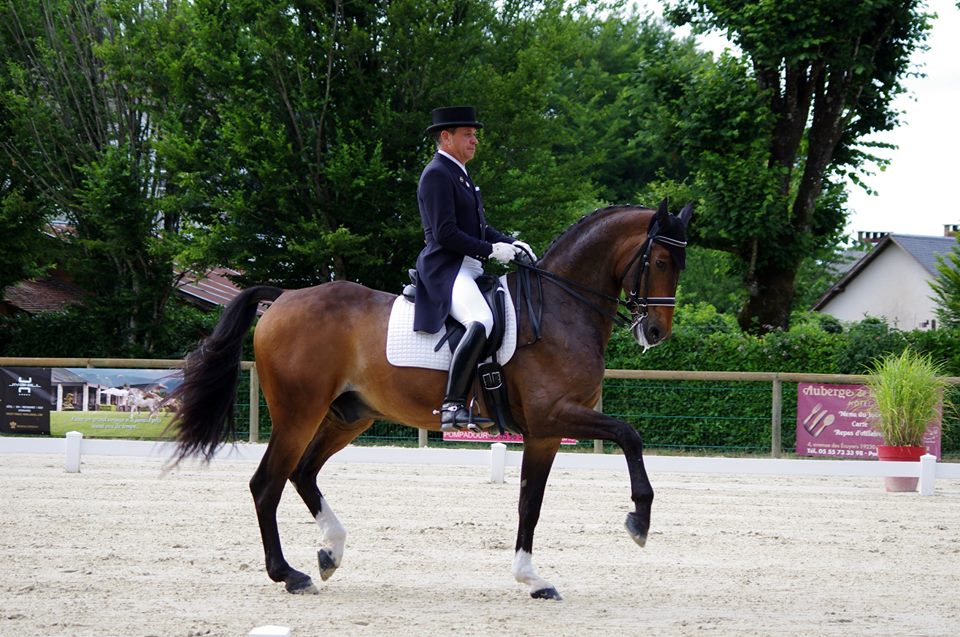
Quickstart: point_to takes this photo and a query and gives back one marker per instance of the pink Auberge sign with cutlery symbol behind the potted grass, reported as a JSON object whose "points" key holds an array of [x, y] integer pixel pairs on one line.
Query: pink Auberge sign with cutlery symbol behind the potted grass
{"points": [[837, 421]]}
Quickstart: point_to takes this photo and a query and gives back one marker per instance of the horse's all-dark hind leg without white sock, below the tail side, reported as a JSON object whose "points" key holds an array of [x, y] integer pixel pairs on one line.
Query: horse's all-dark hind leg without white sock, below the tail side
{"points": [[281, 457]]}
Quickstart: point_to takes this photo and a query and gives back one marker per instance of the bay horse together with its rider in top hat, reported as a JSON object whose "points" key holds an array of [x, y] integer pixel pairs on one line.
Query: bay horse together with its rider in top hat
{"points": [[619, 265]]}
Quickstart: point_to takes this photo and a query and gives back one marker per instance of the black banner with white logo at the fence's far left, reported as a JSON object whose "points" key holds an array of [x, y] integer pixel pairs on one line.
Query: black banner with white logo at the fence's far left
{"points": [[26, 400]]}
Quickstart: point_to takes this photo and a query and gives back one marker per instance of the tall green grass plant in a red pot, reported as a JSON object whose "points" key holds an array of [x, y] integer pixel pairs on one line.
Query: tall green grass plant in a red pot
{"points": [[908, 392]]}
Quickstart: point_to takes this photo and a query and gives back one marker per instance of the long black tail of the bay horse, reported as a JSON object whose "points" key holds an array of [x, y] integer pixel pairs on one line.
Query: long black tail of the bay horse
{"points": [[204, 417]]}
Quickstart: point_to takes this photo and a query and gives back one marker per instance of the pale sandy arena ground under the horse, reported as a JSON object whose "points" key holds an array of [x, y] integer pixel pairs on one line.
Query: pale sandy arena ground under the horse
{"points": [[121, 550]]}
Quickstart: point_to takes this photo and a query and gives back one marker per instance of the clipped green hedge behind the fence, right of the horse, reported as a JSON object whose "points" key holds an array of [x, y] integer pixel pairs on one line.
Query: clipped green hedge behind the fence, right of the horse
{"points": [[688, 414]]}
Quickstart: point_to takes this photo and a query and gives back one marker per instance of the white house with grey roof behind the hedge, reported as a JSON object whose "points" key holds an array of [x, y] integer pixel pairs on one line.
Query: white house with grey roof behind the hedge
{"points": [[892, 282]]}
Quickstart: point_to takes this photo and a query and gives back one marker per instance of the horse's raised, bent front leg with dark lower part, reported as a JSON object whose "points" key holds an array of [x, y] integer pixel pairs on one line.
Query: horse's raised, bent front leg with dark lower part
{"points": [[584, 423]]}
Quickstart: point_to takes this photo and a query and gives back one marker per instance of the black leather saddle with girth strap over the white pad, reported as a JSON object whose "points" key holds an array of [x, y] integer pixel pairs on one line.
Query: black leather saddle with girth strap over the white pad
{"points": [[490, 373]]}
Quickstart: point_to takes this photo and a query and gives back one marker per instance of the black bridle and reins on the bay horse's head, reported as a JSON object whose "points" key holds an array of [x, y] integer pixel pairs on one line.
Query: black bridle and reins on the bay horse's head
{"points": [[635, 304]]}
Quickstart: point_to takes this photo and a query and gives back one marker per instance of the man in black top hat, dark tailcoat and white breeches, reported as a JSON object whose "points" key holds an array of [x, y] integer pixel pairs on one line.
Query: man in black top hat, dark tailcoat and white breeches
{"points": [[458, 240]]}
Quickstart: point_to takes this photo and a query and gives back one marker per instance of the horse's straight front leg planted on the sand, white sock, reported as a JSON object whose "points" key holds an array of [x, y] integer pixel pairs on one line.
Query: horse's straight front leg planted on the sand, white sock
{"points": [[538, 458]]}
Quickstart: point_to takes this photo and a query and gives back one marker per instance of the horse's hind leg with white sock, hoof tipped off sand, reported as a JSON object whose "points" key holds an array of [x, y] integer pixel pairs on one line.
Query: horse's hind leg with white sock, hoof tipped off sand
{"points": [[332, 436]]}
